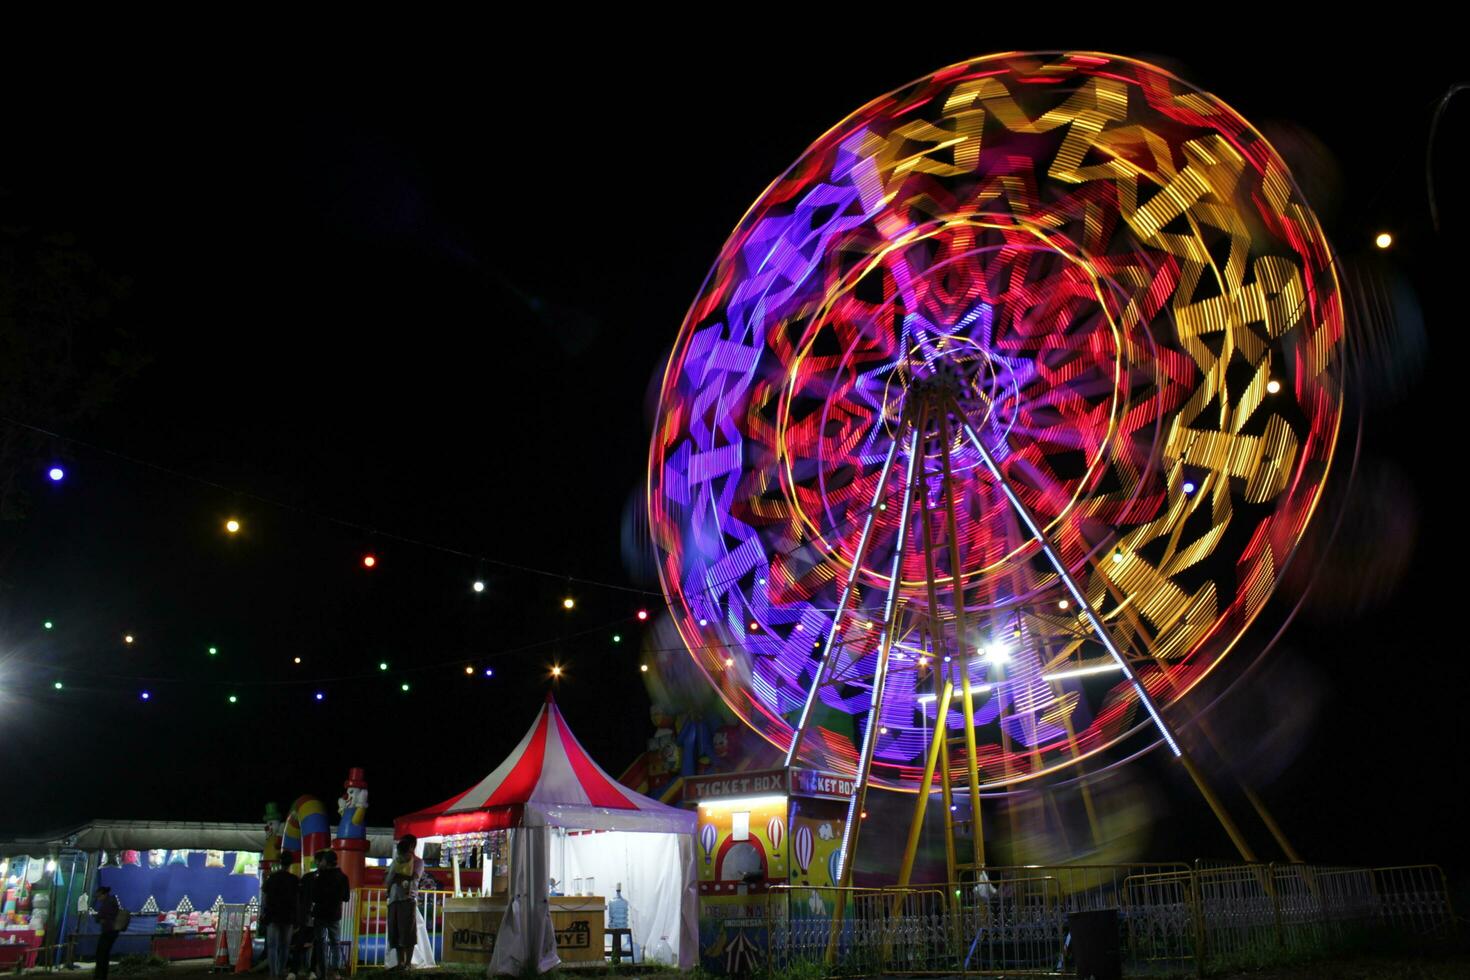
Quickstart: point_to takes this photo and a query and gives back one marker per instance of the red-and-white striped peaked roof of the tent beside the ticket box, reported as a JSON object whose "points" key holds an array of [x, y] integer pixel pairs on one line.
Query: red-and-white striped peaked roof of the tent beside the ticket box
{"points": [[548, 782]]}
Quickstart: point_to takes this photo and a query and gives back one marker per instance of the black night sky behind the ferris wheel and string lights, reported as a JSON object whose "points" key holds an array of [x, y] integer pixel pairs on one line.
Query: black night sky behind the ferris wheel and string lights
{"points": [[409, 300]]}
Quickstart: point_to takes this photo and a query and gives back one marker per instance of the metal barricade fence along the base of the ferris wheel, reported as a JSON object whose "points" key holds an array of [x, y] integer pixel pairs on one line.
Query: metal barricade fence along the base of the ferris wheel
{"points": [[1171, 918]]}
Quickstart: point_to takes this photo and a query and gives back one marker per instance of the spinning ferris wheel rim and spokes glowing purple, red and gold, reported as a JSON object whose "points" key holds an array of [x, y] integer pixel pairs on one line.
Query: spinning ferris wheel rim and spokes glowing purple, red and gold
{"points": [[997, 419]]}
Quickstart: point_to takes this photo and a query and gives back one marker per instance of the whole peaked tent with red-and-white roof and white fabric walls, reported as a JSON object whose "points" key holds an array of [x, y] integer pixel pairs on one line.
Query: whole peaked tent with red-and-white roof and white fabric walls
{"points": [[545, 791]]}
